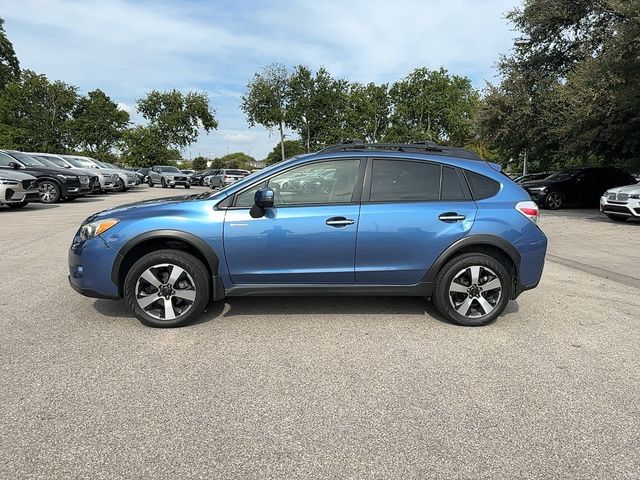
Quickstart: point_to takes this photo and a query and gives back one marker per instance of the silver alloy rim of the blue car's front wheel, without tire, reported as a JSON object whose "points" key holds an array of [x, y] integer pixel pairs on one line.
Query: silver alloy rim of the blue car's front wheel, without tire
{"points": [[165, 291]]}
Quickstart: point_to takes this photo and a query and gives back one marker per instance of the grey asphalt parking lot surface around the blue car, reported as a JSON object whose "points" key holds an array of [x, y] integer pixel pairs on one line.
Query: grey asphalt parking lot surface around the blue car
{"points": [[321, 388]]}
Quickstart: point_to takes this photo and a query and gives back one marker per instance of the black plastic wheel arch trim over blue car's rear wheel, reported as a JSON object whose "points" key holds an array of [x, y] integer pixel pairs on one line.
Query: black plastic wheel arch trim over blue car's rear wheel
{"points": [[490, 245]]}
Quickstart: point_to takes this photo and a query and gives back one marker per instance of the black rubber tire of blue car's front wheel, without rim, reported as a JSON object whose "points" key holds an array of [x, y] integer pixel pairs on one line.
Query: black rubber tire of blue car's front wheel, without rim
{"points": [[191, 264]]}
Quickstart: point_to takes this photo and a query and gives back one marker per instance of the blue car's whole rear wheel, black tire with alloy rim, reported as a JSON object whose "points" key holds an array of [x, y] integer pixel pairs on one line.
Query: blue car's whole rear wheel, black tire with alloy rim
{"points": [[463, 305]]}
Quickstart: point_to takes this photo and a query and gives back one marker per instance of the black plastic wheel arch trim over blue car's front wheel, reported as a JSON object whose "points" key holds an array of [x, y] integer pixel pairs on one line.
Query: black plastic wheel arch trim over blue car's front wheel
{"points": [[149, 242]]}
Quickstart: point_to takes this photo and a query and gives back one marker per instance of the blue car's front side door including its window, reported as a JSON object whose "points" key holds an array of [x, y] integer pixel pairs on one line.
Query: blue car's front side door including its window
{"points": [[307, 237]]}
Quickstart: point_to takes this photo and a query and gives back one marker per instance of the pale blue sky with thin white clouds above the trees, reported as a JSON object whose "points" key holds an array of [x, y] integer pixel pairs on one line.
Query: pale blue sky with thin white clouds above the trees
{"points": [[127, 48]]}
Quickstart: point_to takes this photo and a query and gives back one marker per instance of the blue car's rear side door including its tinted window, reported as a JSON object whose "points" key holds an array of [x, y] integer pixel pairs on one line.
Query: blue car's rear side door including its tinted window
{"points": [[412, 210]]}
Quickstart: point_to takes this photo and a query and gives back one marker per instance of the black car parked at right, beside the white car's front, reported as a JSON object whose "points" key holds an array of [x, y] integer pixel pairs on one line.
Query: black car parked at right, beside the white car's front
{"points": [[577, 186]]}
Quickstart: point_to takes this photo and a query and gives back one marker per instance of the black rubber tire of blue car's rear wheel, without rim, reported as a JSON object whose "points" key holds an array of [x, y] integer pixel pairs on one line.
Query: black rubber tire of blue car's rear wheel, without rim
{"points": [[440, 296]]}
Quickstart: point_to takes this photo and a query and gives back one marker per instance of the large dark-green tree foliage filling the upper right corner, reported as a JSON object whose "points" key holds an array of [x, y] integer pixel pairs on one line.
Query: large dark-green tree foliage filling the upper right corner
{"points": [[568, 93]]}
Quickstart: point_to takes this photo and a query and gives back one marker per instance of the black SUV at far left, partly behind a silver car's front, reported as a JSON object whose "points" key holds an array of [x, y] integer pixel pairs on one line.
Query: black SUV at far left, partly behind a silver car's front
{"points": [[54, 183]]}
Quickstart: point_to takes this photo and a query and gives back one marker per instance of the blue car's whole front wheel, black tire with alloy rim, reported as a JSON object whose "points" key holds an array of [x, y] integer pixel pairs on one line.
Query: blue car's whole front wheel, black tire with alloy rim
{"points": [[194, 277]]}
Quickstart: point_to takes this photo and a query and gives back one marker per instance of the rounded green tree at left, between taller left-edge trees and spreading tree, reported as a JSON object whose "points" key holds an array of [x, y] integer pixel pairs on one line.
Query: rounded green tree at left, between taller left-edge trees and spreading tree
{"points": [[98, 124]]}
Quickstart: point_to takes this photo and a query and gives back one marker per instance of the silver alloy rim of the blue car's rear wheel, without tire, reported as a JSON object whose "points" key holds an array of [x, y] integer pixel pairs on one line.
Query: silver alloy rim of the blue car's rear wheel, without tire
{"points": [[475, 291]]}
